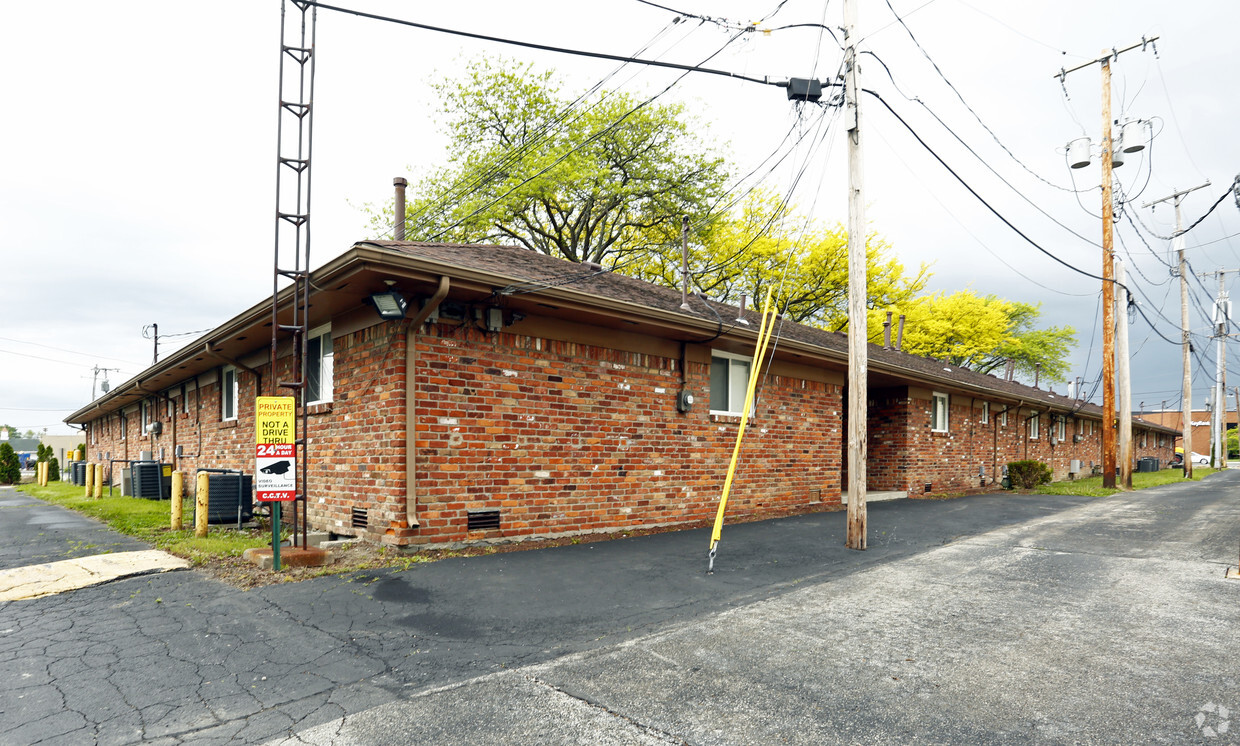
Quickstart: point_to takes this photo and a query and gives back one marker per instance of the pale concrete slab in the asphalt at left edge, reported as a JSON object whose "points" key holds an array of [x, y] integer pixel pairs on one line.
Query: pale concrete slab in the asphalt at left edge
{"points": [[48, 579]]}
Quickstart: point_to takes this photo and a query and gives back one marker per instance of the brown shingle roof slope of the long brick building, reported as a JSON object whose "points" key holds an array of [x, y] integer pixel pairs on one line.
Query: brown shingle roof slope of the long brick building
{"points": [[533, 272]]}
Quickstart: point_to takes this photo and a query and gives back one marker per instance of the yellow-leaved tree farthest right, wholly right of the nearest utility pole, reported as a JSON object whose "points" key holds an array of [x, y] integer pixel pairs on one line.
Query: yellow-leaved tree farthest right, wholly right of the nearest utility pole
{"points": [[981, 334]]}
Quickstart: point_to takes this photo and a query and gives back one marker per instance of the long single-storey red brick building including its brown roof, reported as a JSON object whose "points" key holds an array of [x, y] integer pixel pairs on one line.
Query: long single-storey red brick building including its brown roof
{"points": [[525, 396]]}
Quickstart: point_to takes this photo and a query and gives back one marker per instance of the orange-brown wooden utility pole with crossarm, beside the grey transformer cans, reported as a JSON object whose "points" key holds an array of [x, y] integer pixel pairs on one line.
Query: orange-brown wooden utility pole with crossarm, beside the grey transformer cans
{"points": [[1109, 421]]}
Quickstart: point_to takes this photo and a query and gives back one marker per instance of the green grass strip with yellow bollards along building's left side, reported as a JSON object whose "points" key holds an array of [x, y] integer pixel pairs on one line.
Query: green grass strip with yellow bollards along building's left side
{"points": [[151, 521]]}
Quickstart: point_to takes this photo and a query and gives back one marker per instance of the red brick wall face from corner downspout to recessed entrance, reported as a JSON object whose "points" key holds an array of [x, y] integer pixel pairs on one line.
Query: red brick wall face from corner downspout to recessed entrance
{"points": [[569, 438]]}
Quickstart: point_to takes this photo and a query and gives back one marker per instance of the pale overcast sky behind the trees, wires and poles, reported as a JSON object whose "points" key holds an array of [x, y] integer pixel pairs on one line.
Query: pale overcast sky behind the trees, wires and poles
{"points": [[137, 165]]}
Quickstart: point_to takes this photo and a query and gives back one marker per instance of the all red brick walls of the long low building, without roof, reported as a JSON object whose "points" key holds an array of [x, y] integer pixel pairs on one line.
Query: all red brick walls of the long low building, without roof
{"points": [[572, 438]]}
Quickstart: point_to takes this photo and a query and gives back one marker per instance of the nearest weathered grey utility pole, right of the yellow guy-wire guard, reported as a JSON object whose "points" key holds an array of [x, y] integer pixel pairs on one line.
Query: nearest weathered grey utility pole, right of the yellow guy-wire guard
{"points": [[859, 395]]}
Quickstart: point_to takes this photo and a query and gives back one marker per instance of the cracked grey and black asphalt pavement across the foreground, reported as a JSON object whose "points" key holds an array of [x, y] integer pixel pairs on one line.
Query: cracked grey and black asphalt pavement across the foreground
{"points": [[981, 620]]}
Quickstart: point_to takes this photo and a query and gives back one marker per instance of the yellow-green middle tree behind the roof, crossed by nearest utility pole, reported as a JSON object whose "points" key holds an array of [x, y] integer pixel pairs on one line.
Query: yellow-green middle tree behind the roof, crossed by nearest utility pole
{"points": [[767, 246]]}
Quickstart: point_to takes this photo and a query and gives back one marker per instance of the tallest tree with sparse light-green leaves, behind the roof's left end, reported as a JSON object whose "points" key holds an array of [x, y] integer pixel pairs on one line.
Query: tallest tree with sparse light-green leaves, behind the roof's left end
{"points": [[598, 178]]}
